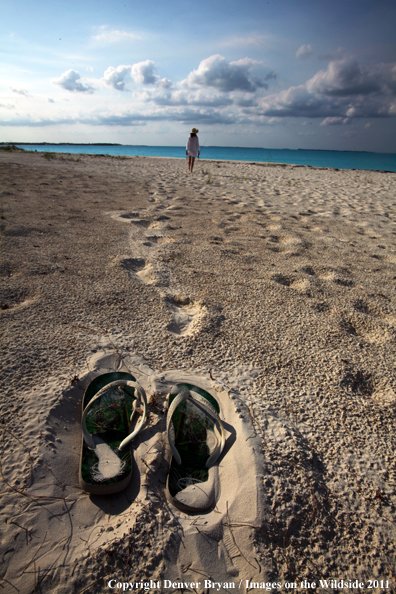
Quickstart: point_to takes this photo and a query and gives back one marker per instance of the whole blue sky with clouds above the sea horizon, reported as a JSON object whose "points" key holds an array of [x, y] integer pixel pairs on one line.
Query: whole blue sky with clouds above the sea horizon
{"points": [[314, 74]]}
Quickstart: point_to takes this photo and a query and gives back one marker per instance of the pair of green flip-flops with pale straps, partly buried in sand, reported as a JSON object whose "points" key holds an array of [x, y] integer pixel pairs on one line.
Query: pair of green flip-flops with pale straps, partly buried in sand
{"points": [[112, 405]]}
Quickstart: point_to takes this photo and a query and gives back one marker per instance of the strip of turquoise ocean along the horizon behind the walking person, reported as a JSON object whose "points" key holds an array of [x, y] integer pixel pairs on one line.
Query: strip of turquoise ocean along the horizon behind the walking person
{"points": [[333, 159]]}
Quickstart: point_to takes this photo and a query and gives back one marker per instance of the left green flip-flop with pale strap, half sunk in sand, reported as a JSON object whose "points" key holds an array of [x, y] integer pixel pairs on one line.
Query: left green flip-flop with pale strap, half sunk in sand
{"points": [[111, 406]]}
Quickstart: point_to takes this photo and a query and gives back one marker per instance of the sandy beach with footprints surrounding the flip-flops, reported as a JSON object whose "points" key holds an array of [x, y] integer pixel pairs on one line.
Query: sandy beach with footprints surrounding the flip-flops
{"points": [[273, 286]]}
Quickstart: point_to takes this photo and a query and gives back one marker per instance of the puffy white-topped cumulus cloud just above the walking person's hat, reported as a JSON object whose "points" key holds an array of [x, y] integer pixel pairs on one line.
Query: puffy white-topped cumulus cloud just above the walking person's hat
{"points": [[224, 76]]}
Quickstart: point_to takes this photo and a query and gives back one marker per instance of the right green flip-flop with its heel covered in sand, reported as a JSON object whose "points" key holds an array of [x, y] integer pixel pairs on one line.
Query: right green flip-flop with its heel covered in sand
{"points": [[196, 438]]}
